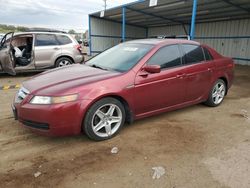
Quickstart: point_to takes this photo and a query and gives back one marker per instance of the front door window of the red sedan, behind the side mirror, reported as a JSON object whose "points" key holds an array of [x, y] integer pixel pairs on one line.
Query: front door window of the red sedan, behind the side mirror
{"points": [[166, 57]]}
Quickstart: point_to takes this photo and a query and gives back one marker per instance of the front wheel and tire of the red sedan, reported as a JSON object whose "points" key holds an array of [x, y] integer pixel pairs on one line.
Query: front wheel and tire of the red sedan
{"points": [[104, 119]]}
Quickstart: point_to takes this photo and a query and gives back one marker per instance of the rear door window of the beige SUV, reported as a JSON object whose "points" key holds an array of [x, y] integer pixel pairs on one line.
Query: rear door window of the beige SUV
{"points": [[46, 40]]}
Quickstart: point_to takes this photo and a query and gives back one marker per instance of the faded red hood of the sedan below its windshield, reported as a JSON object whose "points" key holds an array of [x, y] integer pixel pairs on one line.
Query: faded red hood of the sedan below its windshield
{"points": [[57, 81]]}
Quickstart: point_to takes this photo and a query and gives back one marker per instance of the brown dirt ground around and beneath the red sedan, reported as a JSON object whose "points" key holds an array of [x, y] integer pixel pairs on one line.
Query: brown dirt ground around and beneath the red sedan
{"points": [[198, 146]]}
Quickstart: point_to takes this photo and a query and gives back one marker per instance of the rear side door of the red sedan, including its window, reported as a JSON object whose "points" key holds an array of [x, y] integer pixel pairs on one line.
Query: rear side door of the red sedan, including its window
{"points": [[198, 72]]}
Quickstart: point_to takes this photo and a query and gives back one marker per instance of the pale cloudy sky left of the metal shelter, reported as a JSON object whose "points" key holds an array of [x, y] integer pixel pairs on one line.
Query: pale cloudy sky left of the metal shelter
{"points": [[56, 14]]}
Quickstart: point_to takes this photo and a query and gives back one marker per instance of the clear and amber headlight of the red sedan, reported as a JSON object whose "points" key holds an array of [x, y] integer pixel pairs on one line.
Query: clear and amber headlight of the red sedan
{"points": [[53, 100]]}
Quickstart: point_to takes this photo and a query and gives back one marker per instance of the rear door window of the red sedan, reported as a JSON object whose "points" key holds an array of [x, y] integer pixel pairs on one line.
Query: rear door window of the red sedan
{"points": [[193, 53]]}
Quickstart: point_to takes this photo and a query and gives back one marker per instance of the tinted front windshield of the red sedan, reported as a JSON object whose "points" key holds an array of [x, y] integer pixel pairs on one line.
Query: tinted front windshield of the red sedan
{"points": [[120, 58]]}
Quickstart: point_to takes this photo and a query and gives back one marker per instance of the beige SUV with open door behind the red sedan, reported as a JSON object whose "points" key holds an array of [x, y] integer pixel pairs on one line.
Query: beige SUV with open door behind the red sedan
{"points": [[38, 50]]}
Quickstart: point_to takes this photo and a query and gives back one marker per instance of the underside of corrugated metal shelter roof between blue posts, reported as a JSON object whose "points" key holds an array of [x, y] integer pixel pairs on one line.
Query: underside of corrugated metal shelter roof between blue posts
{"points": [[174, 12]]}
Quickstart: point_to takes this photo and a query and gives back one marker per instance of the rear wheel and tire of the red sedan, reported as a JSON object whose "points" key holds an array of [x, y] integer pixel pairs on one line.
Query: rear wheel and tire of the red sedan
{"points": [[217, 93]]}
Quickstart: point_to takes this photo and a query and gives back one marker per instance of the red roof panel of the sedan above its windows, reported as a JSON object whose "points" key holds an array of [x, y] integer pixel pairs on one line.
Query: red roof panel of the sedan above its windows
{"points": [[163, 41]]}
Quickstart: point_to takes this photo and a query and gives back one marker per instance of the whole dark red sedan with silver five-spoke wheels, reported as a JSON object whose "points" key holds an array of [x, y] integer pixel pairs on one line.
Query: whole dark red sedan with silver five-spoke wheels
{"points": [[130, 81]]}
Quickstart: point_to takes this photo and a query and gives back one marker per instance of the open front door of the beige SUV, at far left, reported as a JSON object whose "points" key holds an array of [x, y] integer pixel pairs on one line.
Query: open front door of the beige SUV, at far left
{"points": [[6, 54]]}
